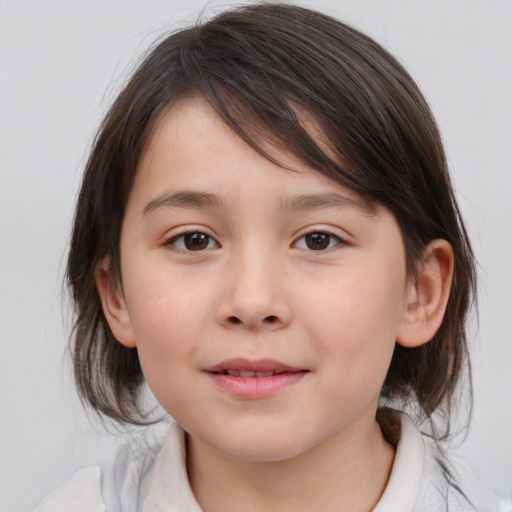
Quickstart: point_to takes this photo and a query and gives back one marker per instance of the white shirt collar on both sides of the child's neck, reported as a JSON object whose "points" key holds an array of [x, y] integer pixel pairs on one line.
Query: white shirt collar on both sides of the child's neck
{"points": [[170, 489]]}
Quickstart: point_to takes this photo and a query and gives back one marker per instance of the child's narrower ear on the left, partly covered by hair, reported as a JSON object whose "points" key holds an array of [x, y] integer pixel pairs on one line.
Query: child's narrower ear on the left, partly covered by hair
{"points": [[114, 305]]}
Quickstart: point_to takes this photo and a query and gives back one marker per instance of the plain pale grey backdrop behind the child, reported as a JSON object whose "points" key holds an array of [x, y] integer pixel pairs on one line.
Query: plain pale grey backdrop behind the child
{"points": [[61, 63]]}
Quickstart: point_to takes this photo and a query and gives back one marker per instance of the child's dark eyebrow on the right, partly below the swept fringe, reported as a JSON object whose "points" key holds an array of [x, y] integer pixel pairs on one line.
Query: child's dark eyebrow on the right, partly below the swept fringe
{"points": [[327, 200]]}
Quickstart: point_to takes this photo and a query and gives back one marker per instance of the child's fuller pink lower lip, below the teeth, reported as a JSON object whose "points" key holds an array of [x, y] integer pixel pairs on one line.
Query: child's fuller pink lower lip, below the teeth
{"points": [[255, 387]]}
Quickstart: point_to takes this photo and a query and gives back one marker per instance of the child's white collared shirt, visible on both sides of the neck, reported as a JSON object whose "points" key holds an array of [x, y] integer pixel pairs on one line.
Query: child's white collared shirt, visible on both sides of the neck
{"points": [[157, 482]]}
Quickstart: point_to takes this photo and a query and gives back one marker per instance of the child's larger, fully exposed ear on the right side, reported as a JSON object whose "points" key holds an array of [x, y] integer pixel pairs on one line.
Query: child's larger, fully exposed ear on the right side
{"points": [[427, 296]]}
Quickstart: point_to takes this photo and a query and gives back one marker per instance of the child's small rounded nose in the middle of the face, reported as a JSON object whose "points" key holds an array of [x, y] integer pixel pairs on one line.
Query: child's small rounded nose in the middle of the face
{"points": [[254, 294]]}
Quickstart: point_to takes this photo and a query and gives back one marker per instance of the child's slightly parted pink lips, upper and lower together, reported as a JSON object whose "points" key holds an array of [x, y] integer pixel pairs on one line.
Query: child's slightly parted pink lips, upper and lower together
{"points": [[254, 379]]}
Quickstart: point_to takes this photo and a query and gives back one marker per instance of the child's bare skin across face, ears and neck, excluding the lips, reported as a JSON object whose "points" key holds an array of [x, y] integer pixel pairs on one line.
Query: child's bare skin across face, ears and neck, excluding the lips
{"points": [[257, 287]]}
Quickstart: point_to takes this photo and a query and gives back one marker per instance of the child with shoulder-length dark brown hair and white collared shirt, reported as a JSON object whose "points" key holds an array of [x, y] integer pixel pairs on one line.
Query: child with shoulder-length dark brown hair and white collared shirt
{"points": [[266, 234]]}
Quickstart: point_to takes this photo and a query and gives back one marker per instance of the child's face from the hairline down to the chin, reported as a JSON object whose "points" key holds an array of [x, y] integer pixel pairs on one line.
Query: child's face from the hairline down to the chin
{"points": [[264, 302]]}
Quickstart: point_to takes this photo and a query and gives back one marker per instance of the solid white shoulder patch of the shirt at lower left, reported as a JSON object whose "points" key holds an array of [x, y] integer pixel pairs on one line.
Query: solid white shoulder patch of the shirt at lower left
{"points": [[81, 493]]}
